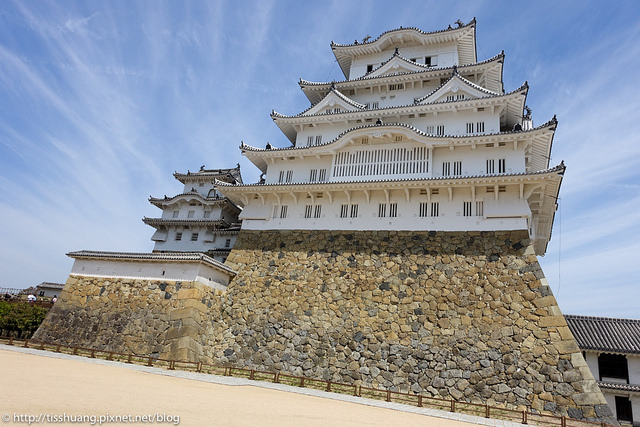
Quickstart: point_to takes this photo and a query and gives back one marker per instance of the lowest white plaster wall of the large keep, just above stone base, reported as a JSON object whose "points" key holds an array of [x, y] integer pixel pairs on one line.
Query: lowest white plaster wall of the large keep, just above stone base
{"points": [[507, 213]]}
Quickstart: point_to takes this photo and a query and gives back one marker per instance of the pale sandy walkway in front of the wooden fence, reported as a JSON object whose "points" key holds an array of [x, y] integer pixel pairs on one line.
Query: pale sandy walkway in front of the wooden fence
{"points": [[45, 387]]}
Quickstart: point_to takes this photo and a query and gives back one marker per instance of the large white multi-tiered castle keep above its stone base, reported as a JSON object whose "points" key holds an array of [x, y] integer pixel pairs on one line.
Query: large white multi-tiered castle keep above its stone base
{"points": [[418, 136]]}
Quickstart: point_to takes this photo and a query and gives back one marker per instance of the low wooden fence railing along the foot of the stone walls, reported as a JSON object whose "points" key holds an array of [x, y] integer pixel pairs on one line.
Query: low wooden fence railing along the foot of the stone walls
{"points": [[477, 409]]}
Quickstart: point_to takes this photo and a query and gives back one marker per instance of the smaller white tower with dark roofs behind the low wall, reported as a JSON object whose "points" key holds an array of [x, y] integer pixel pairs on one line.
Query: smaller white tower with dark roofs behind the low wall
{"points": [[199, 219]]}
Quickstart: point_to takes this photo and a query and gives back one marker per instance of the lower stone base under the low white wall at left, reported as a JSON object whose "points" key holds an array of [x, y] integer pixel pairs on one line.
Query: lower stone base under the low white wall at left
{"points": [[161, 318]]}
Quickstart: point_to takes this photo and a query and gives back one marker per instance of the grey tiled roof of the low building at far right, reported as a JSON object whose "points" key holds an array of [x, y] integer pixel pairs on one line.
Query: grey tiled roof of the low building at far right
{"points": [[605, 333]]}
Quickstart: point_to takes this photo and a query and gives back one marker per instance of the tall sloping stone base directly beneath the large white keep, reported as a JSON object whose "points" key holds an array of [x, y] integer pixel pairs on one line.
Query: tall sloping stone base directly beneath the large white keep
{"points": [[463, 315]]}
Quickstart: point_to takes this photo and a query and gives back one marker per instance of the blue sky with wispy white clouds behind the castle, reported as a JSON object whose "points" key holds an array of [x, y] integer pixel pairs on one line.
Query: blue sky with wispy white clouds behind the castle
{"points": [[101, 101]]}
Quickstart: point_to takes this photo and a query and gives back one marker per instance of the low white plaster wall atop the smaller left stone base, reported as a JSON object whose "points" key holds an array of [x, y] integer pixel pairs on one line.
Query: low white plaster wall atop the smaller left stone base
{"points": [[161, 270]]}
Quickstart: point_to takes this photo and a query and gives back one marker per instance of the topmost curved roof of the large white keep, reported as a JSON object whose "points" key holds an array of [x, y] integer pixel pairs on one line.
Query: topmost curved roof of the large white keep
{"points": [[464, 35]]}
